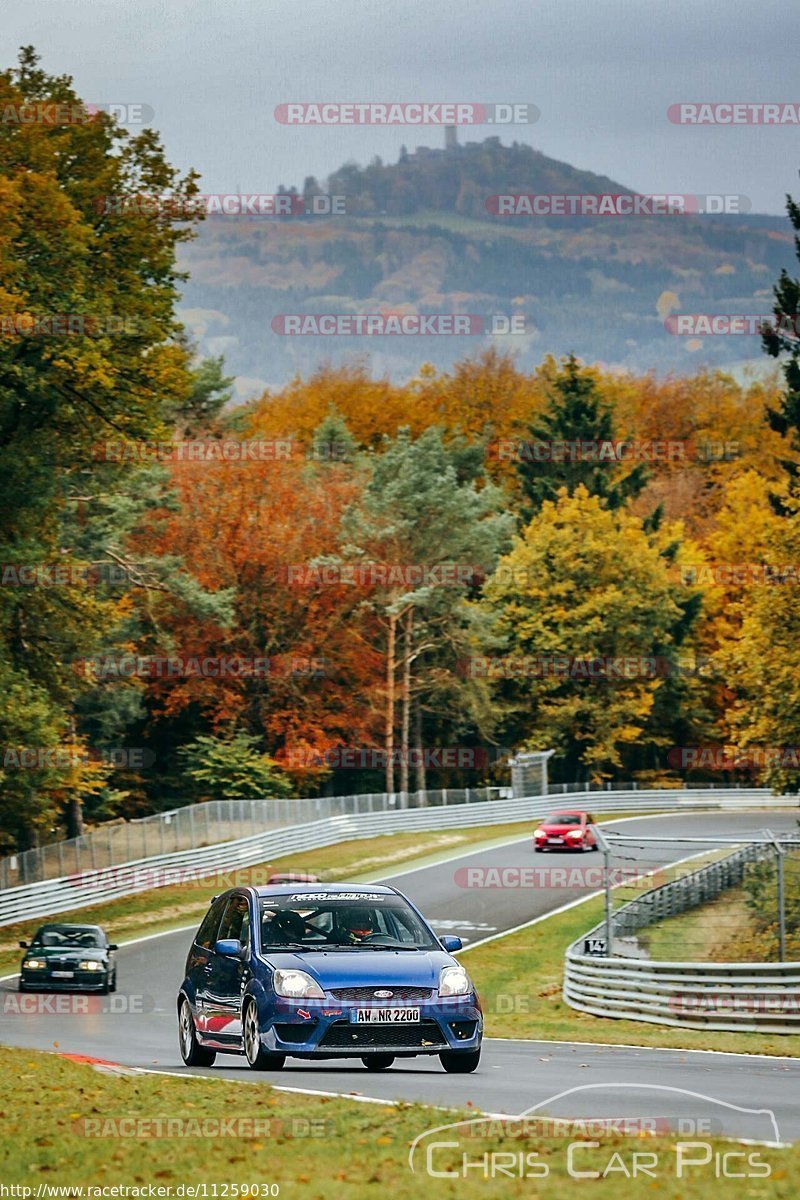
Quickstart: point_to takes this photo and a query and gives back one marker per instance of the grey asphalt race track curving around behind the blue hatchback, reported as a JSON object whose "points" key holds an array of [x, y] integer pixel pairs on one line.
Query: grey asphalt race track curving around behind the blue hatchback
{"points": [[137, 1027]]}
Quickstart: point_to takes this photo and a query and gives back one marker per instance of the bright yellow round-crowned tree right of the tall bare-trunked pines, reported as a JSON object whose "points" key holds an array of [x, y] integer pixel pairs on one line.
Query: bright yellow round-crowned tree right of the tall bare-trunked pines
{"points": [[586, 585]]}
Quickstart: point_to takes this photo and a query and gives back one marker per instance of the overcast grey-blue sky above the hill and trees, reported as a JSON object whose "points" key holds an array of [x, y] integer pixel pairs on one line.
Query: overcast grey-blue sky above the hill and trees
{"points": [[603, 74]]}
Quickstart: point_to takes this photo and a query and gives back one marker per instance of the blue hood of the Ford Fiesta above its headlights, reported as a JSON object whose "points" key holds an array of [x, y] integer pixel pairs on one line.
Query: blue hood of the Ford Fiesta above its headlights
{"points": [[365, 969]]}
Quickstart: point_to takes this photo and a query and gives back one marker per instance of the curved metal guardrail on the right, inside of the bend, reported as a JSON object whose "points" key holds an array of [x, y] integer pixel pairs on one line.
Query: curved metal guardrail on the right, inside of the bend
{"points": [[732, 997]]}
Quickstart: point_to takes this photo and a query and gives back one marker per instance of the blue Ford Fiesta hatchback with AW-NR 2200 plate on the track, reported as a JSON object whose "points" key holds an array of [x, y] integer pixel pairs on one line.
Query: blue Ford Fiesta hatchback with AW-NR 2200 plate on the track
{"points": [[326, 971]]}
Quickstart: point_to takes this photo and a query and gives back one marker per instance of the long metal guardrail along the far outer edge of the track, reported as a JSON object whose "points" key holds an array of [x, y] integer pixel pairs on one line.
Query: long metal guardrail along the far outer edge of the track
{"points": [[93, 886]]}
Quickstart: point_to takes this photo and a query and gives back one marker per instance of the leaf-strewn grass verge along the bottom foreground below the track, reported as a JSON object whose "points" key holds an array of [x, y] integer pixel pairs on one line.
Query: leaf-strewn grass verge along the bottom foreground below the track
{"points": [[63, 1123]]}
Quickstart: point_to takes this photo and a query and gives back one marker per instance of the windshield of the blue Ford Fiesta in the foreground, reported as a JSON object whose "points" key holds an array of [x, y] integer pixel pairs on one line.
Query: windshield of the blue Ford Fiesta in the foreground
{"points": [[344, 921]]}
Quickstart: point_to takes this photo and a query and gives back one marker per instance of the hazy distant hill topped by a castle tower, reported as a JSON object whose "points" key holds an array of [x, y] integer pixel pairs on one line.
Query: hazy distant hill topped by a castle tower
{"points": [[418, 238]]}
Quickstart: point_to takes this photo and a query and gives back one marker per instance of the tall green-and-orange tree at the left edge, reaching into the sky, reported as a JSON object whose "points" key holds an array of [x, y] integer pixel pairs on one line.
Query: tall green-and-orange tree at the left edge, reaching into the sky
{"points": [[89, 352]]}
